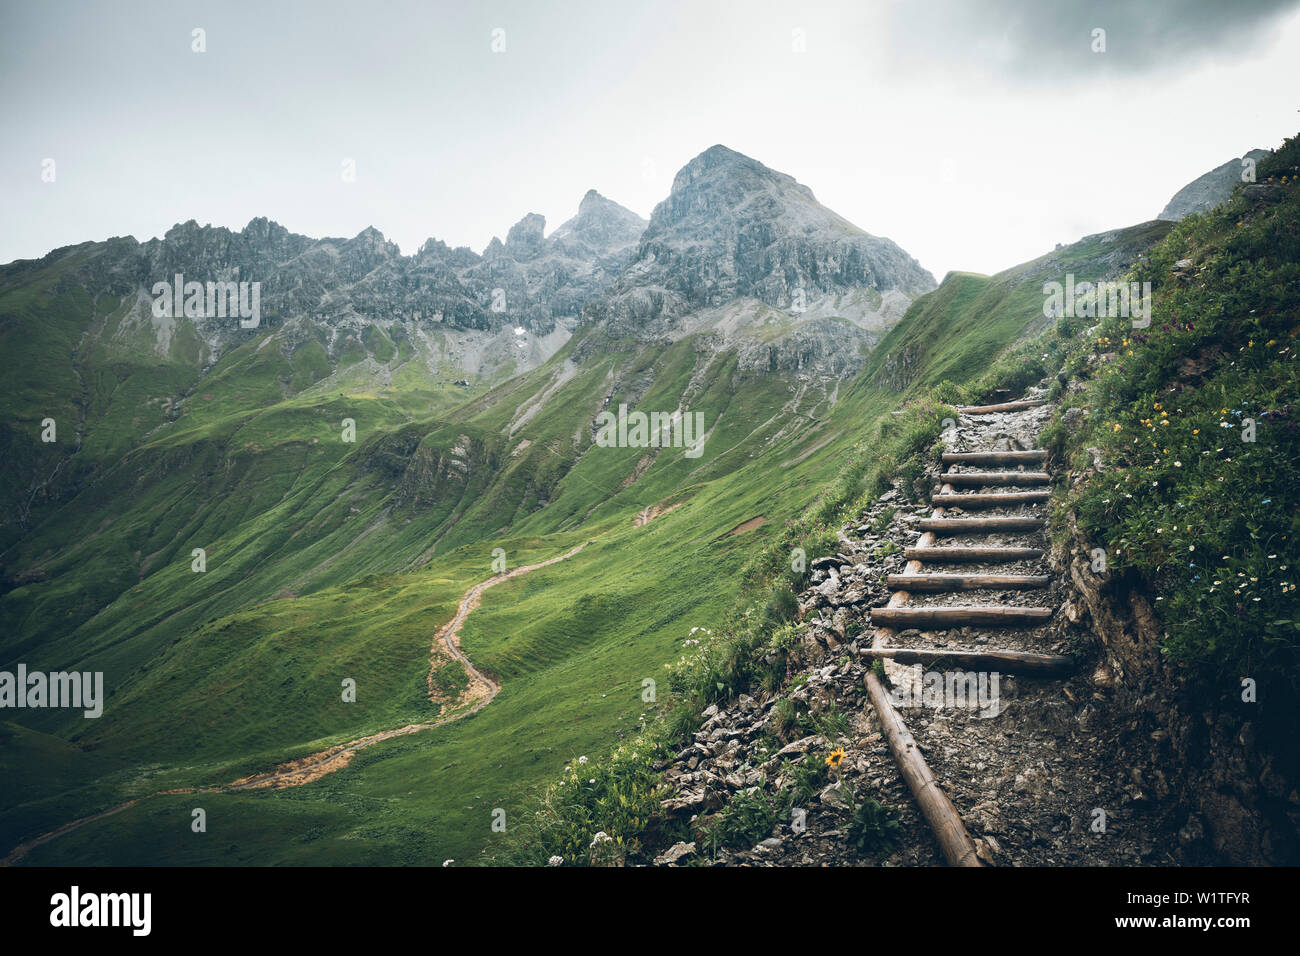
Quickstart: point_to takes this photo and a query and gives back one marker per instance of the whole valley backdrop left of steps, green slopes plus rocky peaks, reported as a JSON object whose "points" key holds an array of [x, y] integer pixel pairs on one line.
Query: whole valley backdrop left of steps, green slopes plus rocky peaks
{"points": [[357, 465]]}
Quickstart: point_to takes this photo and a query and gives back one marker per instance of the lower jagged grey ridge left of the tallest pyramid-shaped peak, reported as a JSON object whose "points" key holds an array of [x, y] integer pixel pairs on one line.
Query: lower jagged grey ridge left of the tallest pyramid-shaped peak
{"points": [[528, 283]]}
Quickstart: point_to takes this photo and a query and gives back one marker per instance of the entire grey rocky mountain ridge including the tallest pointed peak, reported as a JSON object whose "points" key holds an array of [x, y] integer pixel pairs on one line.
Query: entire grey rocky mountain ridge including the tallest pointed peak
{"points": [[738, 252]]}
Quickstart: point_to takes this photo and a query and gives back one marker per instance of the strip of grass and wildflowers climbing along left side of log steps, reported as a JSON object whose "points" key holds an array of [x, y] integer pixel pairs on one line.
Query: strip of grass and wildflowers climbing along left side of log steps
{"points": [[947, 351]]}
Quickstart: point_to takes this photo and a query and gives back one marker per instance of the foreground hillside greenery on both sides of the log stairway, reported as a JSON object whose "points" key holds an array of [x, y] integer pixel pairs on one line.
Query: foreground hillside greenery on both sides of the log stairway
{"points": [[1194, 509]]}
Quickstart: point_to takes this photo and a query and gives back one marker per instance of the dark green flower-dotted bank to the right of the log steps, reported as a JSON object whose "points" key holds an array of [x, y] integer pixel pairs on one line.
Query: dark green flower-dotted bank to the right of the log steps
{"points": [[1197, 425]]}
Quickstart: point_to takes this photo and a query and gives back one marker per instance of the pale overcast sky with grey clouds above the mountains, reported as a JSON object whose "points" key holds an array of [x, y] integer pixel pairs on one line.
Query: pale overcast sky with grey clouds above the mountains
{"points": [[974, 135]]}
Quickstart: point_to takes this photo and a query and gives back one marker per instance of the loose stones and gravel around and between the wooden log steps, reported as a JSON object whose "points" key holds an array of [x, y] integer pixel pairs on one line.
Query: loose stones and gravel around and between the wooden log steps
{"points": [[1046, 781]]}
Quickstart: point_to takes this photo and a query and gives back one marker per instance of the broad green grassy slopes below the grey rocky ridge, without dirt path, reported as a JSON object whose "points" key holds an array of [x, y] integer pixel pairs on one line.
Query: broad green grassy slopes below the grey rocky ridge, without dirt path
{"points": [[330, 560]]}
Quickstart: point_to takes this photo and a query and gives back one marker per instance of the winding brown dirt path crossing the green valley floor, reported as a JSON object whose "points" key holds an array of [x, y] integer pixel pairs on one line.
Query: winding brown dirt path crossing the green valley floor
{"points": [[296, 773]]}
